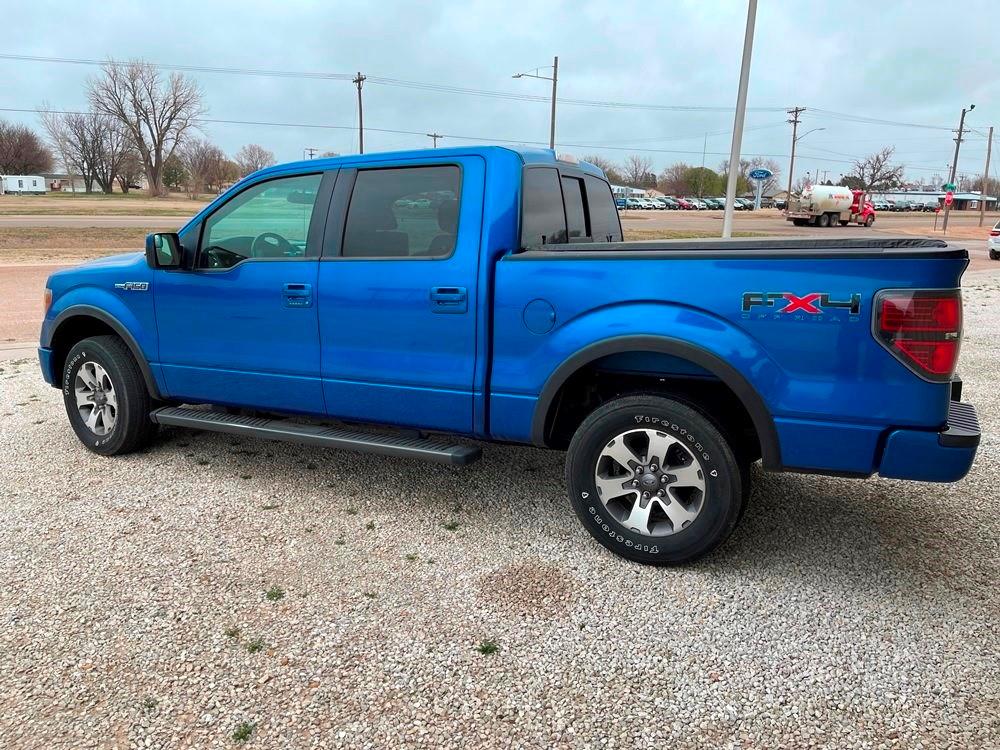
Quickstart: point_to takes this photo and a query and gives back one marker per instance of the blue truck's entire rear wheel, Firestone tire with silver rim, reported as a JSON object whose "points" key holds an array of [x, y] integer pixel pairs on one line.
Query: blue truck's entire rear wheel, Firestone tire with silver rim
{"points": [[653, 480]]}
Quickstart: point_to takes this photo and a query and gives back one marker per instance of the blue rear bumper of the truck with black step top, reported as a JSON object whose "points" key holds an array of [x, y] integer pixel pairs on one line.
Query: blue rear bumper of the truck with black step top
{"points": [[944, 456]]}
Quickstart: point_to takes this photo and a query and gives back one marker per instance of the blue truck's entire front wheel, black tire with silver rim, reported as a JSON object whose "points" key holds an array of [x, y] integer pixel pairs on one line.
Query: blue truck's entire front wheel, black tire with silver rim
{"points": [[106, 397]]}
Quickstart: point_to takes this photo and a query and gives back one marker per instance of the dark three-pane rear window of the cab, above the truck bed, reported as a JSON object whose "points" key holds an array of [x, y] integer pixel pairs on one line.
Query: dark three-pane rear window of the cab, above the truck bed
{"points": [[562, 206]]}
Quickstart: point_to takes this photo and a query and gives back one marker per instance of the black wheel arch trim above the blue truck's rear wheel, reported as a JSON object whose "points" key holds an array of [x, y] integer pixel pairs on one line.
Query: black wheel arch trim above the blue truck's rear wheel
{"points": [[729, 376]]}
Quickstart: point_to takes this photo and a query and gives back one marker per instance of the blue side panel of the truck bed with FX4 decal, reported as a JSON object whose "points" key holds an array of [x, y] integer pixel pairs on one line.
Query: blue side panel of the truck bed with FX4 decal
{"points": [[823, 377]]}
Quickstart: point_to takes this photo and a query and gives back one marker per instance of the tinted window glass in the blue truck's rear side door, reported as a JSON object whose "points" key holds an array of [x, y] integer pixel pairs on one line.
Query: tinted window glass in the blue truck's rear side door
{"points": [[403, 212]]}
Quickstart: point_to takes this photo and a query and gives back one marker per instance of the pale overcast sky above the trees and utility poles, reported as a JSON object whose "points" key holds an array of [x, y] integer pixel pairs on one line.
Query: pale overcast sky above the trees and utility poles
{"points": [[913, 62]]}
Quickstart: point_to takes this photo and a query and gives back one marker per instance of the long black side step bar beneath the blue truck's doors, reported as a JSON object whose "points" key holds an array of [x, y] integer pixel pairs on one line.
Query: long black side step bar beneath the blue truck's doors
{"points": [[438, 451]]}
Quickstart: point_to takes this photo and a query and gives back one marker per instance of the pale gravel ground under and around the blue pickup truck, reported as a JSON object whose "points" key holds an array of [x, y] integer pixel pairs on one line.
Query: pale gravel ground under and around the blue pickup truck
{"points": [[135, 608]]}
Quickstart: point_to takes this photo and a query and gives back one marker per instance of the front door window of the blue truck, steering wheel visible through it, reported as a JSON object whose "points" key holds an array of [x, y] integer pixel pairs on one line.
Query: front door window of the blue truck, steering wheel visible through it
{"points": [[269, 220]]}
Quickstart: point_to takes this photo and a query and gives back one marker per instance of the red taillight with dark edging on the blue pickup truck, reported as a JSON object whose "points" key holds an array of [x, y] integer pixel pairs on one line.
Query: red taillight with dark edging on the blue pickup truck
{"points": [[922, 328]]}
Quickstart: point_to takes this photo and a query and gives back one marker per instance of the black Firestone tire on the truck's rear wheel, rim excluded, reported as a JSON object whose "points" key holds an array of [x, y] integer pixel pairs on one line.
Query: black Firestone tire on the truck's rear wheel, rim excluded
{"points": [[721, 502]]}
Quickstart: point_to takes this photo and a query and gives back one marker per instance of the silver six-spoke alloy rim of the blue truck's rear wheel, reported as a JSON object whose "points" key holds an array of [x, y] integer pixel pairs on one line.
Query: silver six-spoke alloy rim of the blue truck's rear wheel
{"points": [[650, 482]]}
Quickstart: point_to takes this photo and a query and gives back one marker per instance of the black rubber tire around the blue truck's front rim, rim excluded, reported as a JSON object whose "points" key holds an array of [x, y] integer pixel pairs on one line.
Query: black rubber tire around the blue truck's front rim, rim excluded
{"points": [[132, 428]]}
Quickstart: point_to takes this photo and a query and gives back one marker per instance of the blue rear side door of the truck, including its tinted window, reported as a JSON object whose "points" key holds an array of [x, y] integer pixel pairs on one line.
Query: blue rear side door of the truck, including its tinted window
{"points": [[397, 293]]}
